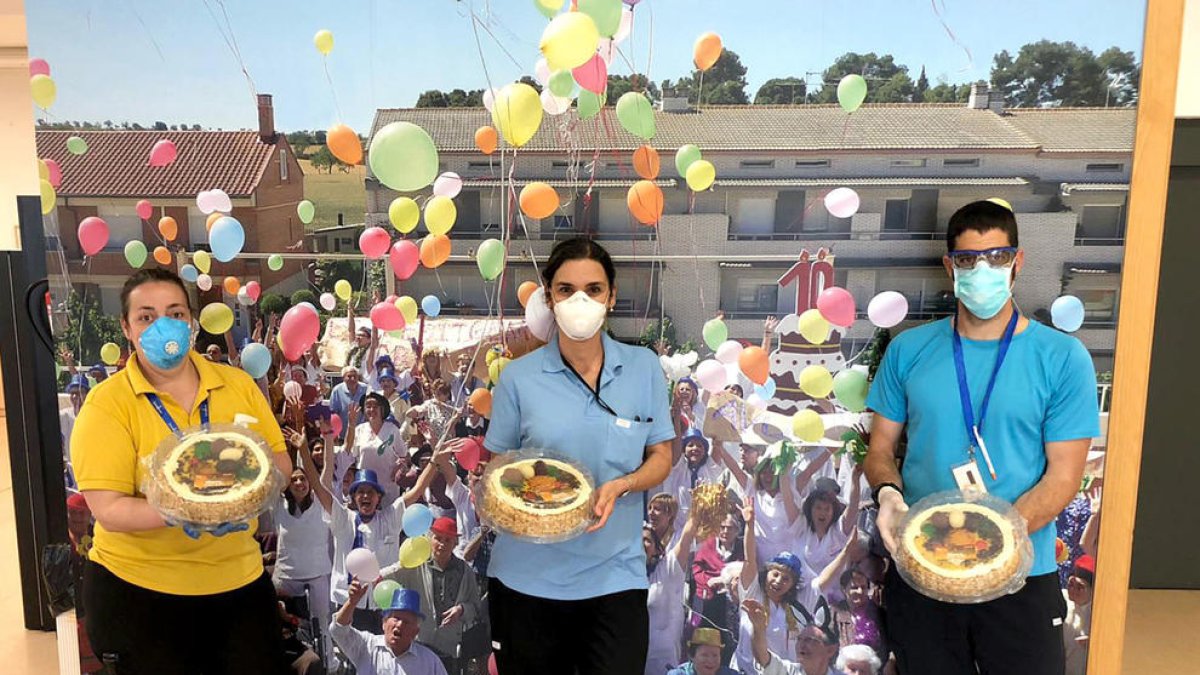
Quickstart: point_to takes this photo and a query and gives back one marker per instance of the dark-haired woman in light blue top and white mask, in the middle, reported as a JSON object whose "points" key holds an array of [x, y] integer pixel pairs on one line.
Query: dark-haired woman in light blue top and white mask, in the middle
{"points": [[580, 606]]}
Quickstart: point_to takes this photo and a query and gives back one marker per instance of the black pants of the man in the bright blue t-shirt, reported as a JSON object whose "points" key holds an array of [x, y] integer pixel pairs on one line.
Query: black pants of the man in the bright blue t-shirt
{"points": [[1017, 635]]}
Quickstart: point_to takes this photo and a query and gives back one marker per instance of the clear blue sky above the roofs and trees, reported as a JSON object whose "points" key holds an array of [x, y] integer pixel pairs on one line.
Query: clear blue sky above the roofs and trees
{"points": [[105, 55]]}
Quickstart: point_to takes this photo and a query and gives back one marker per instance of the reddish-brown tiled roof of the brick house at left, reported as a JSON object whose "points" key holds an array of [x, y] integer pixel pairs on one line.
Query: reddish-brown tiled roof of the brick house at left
{"points": [[117, 163]]}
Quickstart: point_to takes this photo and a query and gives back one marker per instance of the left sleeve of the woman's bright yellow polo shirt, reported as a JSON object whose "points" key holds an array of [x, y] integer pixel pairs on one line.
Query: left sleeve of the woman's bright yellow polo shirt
{"points": [[104, 453]]}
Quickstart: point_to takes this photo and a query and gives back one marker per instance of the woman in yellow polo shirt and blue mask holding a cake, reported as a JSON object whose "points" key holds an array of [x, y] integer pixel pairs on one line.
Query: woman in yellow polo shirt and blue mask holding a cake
{"points": [[158, 599]]}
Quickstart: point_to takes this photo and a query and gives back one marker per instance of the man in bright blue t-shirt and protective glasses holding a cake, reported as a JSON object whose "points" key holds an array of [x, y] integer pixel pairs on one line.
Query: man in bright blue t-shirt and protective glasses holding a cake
{"points": [[992, 398]]}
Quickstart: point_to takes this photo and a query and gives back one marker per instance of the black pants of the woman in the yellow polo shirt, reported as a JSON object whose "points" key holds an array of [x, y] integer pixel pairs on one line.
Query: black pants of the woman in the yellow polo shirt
{"points": [[139, 631]]}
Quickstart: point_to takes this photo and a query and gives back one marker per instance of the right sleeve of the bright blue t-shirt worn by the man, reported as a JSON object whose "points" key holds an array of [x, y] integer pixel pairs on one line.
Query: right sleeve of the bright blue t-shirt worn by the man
{"points": [[1073, 413]]}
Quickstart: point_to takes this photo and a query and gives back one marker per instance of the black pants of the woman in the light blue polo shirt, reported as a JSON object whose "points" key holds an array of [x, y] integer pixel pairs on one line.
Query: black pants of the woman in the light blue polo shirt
{"points": [[604, 636]]}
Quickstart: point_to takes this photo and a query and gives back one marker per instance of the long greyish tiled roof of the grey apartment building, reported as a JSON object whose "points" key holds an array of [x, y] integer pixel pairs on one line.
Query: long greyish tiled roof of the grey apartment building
{"points": [[932, 127]]}
